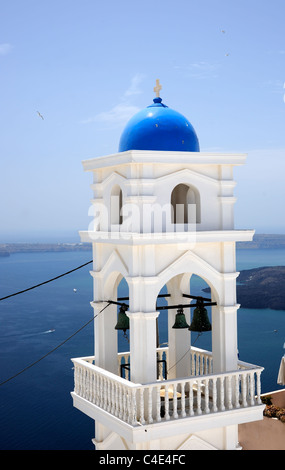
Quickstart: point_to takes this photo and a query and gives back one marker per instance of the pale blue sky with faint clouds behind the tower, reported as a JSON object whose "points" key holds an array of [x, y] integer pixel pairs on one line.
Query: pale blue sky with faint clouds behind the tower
{"points": [[73, 72]]}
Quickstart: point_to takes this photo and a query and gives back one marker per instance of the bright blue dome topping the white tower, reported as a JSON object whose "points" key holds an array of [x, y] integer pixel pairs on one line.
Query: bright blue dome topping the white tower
{"points": [[158, 127]]}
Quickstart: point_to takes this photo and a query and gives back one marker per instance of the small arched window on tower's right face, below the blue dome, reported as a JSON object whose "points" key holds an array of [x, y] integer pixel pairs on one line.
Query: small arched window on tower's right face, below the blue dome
{"points": [[185, 202]]}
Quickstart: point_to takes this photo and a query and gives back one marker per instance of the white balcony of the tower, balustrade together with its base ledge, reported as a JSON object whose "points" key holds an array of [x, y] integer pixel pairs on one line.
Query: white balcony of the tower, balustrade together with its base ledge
{"points": [[232, 397]]}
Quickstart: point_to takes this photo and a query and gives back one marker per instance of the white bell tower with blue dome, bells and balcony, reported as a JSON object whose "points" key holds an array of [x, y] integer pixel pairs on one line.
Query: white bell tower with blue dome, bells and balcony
{"points": [[164, 211]]}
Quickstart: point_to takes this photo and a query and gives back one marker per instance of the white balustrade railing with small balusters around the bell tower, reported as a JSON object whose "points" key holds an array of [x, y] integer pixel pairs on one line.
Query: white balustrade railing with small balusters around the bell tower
{"points": [[137, 404]]}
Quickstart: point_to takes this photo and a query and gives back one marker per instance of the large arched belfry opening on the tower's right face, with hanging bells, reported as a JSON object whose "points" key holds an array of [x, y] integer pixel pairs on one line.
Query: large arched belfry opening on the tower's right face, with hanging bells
{"points": [[176, 347]]}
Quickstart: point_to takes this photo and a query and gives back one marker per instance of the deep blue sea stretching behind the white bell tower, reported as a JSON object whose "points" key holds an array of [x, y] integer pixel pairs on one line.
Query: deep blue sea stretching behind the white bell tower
{"points": [[43, 328]]}
